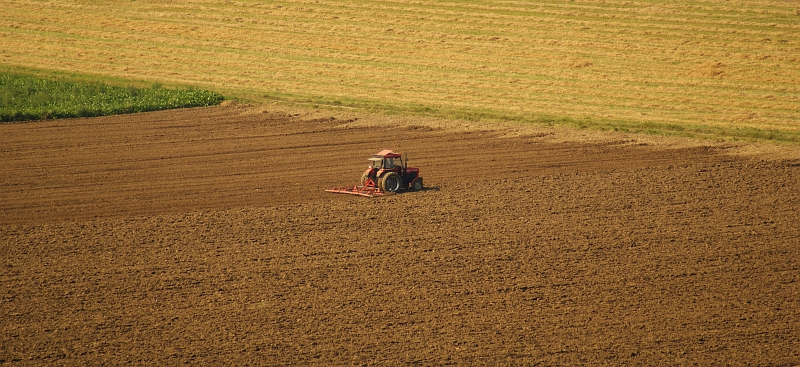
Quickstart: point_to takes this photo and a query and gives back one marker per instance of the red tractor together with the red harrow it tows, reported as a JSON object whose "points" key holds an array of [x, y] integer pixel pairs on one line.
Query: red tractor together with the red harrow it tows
{"points": [[388, 172]]}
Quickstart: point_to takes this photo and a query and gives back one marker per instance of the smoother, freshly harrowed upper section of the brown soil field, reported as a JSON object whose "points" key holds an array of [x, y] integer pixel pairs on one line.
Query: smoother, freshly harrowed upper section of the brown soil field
{"points": [[219, 158]]}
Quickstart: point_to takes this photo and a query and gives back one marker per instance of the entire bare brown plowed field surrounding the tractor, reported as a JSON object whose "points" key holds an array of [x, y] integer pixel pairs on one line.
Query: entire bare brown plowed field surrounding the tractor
{"points": [[204, 237]]}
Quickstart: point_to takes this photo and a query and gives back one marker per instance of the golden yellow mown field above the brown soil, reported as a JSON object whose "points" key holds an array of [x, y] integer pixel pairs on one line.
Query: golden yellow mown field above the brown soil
{"points": [[716, 68]]}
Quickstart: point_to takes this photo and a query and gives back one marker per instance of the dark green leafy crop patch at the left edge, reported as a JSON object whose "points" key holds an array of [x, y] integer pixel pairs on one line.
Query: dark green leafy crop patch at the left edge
{"points": [[25, 98]]}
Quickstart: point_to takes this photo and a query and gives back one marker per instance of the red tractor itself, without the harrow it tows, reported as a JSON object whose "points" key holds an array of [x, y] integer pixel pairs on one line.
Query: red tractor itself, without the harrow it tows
{"points": [[391, 172]]}
